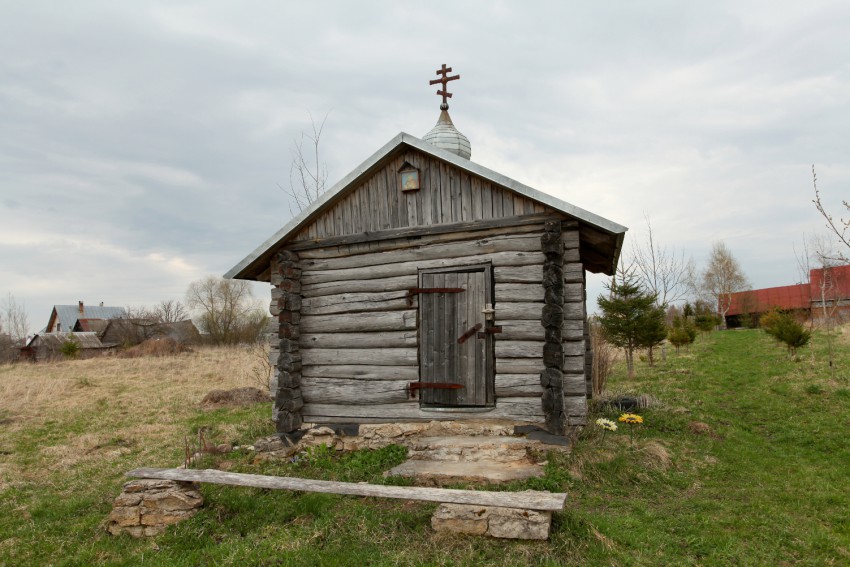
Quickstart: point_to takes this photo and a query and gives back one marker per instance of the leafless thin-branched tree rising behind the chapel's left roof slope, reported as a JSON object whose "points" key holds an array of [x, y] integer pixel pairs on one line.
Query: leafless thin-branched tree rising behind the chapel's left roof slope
{"points": [[308, 175]]}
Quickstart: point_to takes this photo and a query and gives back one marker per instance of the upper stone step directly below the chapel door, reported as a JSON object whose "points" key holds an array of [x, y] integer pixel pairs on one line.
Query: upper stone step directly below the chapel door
{"points": [[471, 448]]}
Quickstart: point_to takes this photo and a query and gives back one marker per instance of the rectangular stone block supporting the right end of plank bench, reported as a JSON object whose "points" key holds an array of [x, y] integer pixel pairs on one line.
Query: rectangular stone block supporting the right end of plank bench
{"points": [[508, 523]]}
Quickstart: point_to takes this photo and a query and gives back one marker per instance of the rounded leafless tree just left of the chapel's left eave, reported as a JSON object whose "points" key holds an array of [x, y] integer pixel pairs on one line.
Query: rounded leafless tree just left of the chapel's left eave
{"points": [[226, 310]]}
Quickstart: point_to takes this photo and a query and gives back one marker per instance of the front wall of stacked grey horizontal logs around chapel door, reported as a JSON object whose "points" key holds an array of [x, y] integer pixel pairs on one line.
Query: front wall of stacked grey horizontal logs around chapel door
{"points": [[357, 345]]}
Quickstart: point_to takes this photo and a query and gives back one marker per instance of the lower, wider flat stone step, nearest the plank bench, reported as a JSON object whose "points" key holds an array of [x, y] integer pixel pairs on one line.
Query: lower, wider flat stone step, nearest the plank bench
{"points": [[445, 472]]}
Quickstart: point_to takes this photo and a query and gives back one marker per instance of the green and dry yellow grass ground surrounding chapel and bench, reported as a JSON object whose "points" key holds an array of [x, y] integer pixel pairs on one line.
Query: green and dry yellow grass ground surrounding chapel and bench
{"points": [[742, 460]]}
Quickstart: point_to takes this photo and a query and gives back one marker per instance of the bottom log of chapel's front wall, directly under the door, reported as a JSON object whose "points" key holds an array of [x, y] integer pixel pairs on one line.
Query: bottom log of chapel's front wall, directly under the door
{"points": [[518, 408]]}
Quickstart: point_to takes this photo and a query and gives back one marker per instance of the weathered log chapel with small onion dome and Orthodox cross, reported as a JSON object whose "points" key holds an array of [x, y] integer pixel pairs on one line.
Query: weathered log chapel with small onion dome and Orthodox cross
{"points": [[424, 286]]}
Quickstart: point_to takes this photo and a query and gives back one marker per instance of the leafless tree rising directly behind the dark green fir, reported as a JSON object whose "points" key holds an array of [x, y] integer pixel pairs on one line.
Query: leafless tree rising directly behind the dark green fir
{"points": [[660, 270]]}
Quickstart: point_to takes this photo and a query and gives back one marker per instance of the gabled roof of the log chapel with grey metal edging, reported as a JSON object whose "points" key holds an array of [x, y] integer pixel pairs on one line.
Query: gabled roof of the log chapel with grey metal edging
{"points": [[256, 262]]}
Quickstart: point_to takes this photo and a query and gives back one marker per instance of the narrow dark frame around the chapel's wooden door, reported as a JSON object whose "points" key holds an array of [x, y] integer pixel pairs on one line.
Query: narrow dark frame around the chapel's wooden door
{"points": [[489, 338]]}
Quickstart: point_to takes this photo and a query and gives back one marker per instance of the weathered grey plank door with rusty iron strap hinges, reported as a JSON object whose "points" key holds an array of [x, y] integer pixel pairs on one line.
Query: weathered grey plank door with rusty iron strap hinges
{"points": [[451, 350]]}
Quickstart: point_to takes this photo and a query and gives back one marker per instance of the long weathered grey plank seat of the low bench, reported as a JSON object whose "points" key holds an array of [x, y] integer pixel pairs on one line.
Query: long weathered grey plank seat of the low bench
{"points": [[527, 499]]}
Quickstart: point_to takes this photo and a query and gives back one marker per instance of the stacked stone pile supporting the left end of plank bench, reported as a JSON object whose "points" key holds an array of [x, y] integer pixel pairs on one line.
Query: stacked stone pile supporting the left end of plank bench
{"points": [[145, 507]]}
